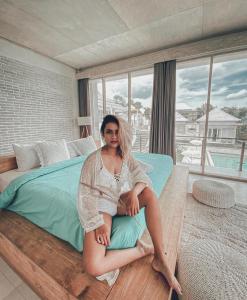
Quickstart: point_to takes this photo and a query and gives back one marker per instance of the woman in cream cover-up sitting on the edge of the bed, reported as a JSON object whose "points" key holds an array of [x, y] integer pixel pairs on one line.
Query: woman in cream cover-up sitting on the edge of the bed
{"points": [[111, 176]]}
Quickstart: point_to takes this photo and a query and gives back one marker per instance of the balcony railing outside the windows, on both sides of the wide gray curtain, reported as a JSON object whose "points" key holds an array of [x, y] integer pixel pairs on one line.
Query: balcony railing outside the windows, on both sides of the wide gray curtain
{"points": [[217, 150]]}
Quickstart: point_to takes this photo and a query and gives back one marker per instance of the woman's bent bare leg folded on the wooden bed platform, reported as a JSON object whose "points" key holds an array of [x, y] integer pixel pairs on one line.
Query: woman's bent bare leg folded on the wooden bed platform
{"points": [[97, 260]]}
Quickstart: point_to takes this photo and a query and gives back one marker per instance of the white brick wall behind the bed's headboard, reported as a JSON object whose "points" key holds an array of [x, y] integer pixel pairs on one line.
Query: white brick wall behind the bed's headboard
{"points": [[35, 104]]}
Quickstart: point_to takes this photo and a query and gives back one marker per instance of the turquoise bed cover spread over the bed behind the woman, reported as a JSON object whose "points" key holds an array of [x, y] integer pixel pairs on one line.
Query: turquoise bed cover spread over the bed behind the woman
{"points": [[47, 197]]}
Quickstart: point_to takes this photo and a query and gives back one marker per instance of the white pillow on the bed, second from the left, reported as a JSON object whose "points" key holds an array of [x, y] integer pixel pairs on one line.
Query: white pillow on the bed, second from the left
{"points": [[52, 152]]}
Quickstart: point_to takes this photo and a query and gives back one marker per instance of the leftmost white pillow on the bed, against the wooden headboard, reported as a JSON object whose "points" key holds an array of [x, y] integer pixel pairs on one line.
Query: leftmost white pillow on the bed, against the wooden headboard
{"points": [[26, 156]]}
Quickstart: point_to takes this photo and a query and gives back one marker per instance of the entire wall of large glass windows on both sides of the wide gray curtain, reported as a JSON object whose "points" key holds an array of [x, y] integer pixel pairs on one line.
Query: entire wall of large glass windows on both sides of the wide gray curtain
{"points": [[223, 112]]}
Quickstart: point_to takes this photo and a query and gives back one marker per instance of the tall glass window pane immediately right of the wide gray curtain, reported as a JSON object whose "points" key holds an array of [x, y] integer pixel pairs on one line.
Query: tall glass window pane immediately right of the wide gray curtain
{"points": [[191, 103]]}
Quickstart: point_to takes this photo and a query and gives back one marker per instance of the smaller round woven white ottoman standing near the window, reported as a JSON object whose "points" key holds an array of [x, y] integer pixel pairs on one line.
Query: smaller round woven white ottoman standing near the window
{"points": [[213, 193]]}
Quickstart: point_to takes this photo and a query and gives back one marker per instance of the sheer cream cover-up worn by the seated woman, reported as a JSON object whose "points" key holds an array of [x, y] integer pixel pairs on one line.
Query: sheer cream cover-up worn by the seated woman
{"points": [[99, 190]]}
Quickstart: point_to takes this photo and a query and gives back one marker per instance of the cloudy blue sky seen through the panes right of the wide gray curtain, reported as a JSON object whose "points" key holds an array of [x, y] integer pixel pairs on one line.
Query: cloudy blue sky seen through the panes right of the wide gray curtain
{"points": [[229, 84]]}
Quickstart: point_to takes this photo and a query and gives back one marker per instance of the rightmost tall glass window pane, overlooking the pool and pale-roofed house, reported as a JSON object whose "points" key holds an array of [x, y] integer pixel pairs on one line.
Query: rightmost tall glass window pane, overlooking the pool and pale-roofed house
{"points": [[227, 119]]}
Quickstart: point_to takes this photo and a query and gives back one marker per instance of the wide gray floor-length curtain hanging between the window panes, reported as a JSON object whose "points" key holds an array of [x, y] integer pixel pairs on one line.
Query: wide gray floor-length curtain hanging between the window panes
{"points": [[162, 133]]}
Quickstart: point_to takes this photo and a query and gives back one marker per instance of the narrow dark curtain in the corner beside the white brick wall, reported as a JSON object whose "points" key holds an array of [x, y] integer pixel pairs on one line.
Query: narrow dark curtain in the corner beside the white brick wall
{"points": [[84, 104]]}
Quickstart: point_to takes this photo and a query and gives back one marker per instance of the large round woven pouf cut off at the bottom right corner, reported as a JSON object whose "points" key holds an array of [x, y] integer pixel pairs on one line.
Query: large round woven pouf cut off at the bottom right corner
{"points": [[209, 270]]}
